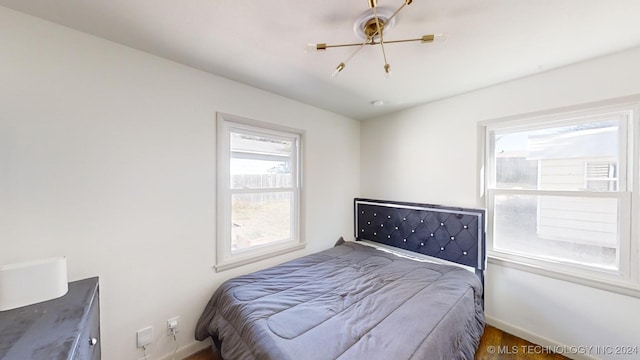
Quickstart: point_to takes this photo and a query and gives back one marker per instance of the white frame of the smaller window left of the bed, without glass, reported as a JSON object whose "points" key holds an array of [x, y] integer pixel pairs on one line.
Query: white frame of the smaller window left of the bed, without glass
{"points": [[225, 258]]}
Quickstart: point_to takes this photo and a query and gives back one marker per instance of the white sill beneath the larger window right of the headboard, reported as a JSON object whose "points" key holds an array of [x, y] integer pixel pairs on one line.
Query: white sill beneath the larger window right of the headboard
{"points": [[616, 286]]}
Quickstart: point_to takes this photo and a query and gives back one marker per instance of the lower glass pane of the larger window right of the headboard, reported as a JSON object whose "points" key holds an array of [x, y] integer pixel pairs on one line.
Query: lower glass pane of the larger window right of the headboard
{"points": [[573, 229]]}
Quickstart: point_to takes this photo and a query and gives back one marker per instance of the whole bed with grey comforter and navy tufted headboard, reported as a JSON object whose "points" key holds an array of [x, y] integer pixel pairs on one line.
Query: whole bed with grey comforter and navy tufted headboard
{"points": [[357, 301]]}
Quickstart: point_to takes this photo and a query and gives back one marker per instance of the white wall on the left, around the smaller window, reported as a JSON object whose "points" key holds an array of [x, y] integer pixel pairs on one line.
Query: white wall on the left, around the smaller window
{"points": [[107, 156]]}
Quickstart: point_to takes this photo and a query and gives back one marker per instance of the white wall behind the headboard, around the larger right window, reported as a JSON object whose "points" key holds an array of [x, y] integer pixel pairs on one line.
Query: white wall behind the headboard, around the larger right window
{"points": [[429, 154]]}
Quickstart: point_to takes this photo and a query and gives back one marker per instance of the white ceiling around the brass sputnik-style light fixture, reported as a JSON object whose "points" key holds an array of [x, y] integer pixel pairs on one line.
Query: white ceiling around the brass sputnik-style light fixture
{"points": [[261, 43]]}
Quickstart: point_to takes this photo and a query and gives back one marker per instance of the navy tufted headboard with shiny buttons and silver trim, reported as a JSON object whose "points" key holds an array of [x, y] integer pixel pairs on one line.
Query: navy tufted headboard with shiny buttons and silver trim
{"points": [[448, 233]]}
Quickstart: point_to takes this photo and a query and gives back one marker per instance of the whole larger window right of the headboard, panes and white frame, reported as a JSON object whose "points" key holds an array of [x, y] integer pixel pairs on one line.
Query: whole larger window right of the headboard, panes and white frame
{"points": [[559, 193]]}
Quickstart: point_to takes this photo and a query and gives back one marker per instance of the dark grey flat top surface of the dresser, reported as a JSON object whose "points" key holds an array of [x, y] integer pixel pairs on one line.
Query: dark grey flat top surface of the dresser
{"points": [[42, 330]]}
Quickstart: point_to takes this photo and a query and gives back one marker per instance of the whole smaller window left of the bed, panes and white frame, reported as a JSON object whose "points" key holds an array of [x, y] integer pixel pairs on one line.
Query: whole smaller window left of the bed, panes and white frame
{"points": [[259, 191]]}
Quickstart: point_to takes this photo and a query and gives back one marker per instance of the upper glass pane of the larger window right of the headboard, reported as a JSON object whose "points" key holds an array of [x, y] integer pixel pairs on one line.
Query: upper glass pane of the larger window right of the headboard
{"points": [[580, 157]]}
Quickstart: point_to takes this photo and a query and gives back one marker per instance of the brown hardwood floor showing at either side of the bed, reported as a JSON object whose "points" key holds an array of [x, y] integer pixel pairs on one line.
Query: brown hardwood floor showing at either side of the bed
{"points": [[494, 345]]}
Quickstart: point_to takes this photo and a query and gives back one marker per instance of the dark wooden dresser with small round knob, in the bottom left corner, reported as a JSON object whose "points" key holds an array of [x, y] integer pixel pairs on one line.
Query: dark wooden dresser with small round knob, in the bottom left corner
{"points": [[64, 328]]}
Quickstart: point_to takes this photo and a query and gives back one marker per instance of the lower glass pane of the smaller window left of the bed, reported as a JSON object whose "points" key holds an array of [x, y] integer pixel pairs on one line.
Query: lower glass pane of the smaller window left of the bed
{"points": [[260, 219]]}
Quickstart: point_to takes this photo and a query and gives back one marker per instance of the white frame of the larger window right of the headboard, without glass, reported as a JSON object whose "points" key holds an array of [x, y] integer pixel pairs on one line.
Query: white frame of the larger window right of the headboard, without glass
{"points": [[627, 279]]}
